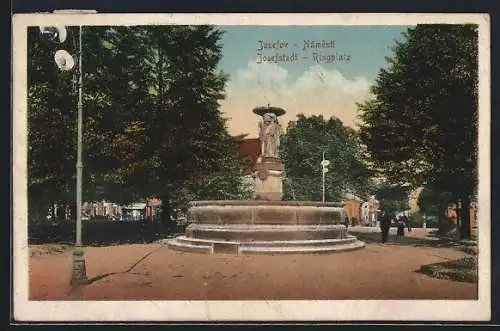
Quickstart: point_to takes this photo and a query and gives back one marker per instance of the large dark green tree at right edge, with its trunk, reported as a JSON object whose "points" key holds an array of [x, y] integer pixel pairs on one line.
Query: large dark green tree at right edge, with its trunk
{"points": [[421, 126]]}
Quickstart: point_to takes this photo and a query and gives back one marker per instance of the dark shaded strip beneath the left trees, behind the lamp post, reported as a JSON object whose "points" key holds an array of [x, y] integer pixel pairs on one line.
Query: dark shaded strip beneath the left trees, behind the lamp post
{"points": [[103, 233]]}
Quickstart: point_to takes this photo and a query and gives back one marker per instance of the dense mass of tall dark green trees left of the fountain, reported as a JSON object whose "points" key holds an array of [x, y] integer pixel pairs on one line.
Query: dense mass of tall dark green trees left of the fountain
{"points": [[152, 124]]}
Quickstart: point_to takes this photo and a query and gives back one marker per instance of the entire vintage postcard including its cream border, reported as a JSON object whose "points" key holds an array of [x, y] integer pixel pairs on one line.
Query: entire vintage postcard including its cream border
{"points": [[251, 167]]}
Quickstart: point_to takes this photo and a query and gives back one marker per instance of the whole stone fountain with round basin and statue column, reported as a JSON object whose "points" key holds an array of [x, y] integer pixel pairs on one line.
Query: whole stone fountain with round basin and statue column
{"points": [[266, 224]]}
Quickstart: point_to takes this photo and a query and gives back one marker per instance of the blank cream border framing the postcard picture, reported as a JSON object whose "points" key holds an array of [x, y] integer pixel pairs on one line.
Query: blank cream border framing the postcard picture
{"points": [[346, 310]]}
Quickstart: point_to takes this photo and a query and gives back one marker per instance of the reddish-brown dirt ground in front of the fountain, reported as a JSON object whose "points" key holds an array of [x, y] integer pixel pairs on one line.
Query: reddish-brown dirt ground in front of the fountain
{"points": [[379, 271]]}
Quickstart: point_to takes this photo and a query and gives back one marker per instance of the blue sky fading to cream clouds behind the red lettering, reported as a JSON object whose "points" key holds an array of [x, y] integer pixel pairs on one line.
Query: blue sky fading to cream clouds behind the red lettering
{"points": [[303, 69]]}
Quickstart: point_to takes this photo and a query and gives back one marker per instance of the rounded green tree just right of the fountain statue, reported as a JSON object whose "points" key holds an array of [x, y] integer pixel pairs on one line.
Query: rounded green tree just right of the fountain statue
{"points": [[302, 150]]}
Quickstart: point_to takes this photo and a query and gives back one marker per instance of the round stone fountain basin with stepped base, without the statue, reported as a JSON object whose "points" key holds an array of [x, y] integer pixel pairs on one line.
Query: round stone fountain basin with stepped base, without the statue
{"points": [[266, 227]]}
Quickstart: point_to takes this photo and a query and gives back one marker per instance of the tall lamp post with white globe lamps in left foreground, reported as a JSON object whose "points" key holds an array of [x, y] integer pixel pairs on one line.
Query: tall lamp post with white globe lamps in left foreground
{"points": [[65, 62]]}
